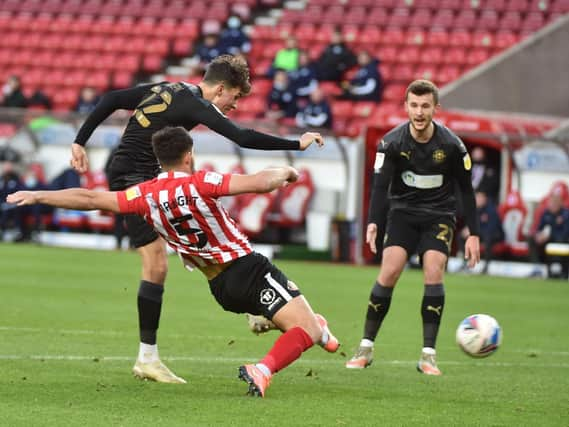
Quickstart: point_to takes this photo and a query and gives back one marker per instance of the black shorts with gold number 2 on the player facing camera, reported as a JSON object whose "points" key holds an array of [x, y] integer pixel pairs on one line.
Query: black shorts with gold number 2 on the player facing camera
{"points": [[419, 232]]}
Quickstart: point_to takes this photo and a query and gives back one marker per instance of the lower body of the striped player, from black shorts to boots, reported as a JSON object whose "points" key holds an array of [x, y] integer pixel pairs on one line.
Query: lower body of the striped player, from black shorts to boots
{"points": [[270, 293]]}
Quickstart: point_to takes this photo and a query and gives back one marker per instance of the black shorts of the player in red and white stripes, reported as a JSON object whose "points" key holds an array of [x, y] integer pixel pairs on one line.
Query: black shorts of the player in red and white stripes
{"points": [[252, 284]]}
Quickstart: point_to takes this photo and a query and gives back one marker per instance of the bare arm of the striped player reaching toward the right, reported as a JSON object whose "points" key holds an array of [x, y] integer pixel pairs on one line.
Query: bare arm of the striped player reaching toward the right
{"points": [[262, 182]]}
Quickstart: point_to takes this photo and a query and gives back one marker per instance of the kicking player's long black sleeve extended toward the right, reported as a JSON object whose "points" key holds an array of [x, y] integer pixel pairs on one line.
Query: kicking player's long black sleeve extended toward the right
{"points": [[211, 117]]}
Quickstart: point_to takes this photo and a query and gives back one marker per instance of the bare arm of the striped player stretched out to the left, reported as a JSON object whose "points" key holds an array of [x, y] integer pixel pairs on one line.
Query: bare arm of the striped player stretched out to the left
{"points": [[72, 198]]}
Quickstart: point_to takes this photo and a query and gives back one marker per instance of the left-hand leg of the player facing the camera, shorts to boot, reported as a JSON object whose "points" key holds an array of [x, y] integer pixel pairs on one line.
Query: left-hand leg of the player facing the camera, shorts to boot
{"points": [[401, 239]]}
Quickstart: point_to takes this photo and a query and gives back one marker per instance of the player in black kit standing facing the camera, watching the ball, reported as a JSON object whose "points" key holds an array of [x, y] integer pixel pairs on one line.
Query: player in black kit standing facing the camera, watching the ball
{"points": [[417, 163]]}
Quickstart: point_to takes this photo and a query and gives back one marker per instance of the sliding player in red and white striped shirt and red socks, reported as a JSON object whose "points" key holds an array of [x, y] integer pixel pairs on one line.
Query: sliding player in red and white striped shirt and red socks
{"points": [[183, 206]]}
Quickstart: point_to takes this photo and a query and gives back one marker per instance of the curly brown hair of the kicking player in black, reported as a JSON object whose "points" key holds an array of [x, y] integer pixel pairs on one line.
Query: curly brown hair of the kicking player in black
{"points": [[231, 70]]}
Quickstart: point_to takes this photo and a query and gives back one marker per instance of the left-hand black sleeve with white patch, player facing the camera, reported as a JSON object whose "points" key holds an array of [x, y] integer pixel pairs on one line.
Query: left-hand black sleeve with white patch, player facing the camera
{"points": [[383, 172]]}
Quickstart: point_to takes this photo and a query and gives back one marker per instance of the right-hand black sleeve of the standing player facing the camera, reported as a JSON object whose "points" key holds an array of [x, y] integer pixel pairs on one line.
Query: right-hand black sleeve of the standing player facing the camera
{"points": [[463, 175]]}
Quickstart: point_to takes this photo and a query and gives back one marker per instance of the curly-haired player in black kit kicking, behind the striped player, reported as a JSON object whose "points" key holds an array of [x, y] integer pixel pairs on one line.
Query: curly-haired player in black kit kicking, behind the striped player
{"points": [[155, 107]]}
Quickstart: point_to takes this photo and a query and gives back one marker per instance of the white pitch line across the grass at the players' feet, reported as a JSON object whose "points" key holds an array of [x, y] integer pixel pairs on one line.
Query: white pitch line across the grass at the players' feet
{"points": [[305, 361]]}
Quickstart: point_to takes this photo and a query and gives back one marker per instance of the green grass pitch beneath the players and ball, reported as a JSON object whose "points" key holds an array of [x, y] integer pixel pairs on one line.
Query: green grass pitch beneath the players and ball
{"points": [[68, 339]]}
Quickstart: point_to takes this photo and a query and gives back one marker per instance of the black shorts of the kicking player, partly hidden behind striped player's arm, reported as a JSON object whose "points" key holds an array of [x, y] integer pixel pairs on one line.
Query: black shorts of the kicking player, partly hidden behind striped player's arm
{"points": [[122, 176]]}
